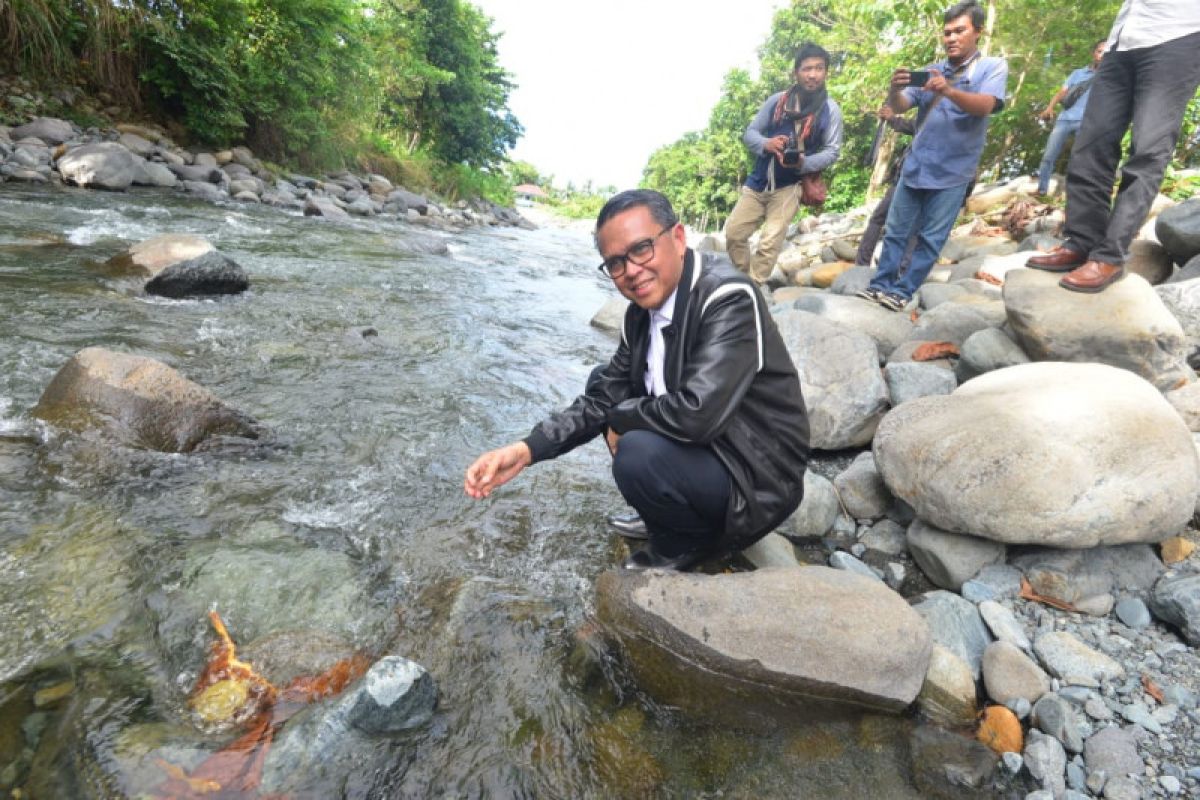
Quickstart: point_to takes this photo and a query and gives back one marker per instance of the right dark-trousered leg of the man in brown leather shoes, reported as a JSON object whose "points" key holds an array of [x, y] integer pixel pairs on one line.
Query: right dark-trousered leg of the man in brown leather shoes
{"points": [[1167, 79]]}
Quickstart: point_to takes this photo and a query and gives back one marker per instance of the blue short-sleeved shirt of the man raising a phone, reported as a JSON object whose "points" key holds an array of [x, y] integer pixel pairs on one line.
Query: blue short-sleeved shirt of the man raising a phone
{"points": [[949, 143]]}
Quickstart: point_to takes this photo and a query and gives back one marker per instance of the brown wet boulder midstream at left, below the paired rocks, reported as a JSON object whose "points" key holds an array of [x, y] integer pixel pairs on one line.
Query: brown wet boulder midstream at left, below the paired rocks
{"points": [[143, 402]]}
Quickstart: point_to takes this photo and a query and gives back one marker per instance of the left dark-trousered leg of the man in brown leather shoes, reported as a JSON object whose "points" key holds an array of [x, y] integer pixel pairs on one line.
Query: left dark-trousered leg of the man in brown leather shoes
{"points": [[1093, 170]]}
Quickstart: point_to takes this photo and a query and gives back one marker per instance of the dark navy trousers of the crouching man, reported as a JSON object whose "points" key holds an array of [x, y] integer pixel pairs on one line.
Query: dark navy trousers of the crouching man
{"points": [[681, 491]]}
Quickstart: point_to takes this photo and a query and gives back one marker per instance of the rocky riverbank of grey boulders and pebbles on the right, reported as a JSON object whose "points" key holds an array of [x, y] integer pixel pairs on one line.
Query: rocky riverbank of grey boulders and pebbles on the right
{"points": [[1023, 471]]}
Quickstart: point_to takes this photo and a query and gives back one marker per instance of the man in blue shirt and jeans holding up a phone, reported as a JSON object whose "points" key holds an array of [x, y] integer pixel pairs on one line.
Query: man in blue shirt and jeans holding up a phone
{"points": [[955, 103]]}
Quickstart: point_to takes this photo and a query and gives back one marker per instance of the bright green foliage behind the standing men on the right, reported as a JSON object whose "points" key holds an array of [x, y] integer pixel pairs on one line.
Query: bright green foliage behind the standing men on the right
{"points": [[1043, 43]]}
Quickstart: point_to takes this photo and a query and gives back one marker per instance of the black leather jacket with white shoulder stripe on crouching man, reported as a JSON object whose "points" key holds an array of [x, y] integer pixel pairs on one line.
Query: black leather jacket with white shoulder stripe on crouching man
{"points": [[731, 386]]}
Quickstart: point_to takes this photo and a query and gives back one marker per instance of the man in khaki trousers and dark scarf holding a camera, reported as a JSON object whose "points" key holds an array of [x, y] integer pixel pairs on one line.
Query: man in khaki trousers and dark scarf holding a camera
{"points": [[808, 118]]}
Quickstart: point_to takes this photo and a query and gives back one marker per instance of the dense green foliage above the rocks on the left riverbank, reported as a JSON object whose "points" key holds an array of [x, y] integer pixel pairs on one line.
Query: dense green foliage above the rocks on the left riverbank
{"points": [[314, 82]]}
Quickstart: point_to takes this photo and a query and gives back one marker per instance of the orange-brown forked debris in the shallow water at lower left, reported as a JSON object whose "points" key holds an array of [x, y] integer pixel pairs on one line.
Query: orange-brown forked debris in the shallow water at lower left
{"points": [[237, 769]]}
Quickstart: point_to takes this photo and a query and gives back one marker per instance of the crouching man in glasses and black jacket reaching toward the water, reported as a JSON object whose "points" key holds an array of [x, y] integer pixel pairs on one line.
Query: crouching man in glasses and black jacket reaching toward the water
{"points": [[700, 405]]}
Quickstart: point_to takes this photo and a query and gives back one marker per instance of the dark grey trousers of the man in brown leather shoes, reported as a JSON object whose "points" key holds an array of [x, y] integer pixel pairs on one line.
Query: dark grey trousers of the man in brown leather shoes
{"points": [[1150, 88]]}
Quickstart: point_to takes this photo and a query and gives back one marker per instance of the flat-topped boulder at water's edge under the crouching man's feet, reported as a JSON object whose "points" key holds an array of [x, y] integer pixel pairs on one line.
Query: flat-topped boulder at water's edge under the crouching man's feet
{"points": [[811, 639]]}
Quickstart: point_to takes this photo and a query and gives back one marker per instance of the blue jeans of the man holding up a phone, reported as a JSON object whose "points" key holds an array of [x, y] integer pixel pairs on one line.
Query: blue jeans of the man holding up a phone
{"points": [[931, 215]]}
